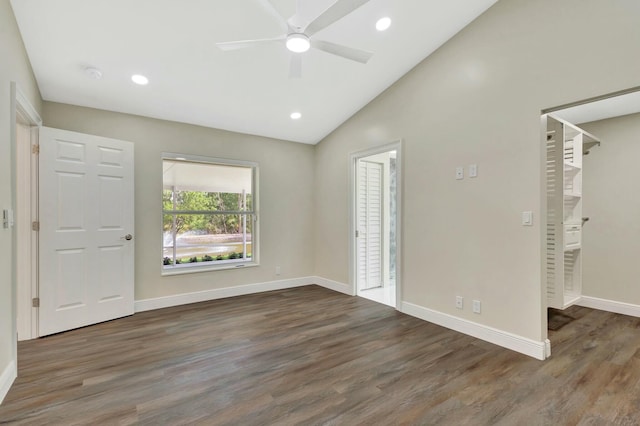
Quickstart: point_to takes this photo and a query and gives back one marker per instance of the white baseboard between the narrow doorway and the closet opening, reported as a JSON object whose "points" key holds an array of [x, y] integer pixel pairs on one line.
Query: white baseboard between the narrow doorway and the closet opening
{"points": [[507, 340]]}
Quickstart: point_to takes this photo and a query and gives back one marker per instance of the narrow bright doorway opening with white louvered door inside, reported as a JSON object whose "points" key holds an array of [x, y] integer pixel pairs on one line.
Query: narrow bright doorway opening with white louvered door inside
{"points": [[375, 224]]}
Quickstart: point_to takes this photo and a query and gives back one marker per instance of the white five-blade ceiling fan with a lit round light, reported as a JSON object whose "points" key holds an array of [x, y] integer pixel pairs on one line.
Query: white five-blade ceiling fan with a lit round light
{"points": [[299, 35]]}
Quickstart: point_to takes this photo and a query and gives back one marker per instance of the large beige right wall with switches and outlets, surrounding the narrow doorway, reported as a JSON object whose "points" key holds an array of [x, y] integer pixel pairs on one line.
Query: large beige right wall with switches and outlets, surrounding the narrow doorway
{"points": [[477, 100]]}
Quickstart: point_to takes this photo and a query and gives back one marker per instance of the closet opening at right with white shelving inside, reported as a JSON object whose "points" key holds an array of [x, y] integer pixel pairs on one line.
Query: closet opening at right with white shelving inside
{"points": [[589, 233]]}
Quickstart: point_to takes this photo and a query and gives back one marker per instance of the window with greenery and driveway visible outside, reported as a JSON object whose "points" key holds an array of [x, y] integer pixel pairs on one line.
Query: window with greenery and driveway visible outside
{"points": [[209, 213]]}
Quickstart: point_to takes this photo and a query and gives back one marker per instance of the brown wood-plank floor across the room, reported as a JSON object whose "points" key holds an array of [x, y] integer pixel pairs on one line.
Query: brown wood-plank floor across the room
{"points": [[312, 356]]}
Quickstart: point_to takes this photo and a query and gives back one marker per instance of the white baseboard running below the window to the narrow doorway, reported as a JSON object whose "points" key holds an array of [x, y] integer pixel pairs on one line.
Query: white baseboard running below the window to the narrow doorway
{"points": [[219, 293]]}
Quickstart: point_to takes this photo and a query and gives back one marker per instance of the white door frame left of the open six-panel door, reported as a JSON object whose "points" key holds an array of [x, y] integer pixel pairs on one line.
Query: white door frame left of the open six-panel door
{"points": [[23, 111]]}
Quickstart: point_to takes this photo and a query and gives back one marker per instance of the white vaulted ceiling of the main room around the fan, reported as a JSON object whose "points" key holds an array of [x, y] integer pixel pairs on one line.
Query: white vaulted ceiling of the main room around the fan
{"points": [[172, 42]]}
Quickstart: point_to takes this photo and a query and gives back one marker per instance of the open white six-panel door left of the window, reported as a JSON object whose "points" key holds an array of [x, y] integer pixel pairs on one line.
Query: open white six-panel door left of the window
{"points": [[86, 264]]}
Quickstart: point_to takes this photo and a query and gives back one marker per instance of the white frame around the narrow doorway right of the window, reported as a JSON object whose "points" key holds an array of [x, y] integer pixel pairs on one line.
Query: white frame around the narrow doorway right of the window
{"points": [[353, 194]]}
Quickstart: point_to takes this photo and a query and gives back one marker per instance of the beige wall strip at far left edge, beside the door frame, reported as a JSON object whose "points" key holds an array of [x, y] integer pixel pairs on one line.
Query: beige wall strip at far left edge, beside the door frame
{"points": [[15, 67]]}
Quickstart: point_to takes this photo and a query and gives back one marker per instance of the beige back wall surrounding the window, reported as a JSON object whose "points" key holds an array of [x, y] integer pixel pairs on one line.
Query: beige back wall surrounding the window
{"points": [[286, 195]]}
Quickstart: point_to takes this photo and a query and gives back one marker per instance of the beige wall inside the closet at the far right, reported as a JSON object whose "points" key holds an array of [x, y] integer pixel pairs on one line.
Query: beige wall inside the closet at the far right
{"points": [[611, 189]]}
